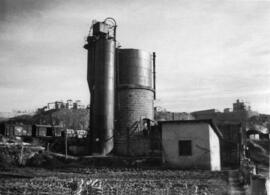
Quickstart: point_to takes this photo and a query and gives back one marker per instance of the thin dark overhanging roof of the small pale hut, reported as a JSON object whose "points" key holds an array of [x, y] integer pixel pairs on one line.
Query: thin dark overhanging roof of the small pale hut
{"points": [[208, 121]]}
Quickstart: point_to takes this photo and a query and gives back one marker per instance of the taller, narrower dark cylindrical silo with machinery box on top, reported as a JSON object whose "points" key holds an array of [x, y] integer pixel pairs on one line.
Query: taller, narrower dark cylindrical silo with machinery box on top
{"points": [[101, 81]]}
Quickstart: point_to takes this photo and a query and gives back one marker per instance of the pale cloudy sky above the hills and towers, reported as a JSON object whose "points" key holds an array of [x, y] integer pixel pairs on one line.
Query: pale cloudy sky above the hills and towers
{"points": [[209, 53]]}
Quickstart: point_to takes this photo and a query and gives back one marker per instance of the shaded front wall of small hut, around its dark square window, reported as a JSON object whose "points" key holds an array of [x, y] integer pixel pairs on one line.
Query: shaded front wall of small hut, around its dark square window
{"points": [[198, 133]]}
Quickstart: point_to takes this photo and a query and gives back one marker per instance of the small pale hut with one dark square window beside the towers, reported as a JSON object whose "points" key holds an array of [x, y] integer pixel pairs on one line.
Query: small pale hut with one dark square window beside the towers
{"points": [[191, 144]]}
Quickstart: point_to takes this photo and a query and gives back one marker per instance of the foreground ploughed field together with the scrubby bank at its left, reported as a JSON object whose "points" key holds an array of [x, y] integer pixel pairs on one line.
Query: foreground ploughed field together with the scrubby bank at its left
{"points": [[28, 169]]}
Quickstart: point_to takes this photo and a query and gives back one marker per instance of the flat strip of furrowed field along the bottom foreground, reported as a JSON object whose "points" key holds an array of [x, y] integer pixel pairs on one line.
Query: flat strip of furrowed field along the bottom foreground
{"points": [[110, 181]]}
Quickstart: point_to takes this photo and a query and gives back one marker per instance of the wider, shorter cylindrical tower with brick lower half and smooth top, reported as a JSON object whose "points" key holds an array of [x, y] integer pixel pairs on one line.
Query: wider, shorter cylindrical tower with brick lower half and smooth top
{"points": [[134, 101]]}
